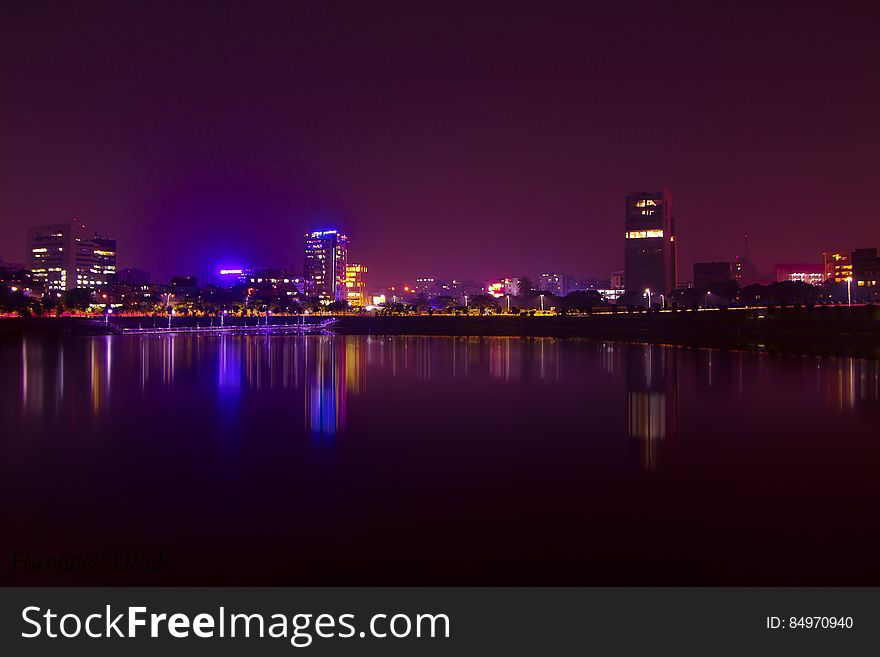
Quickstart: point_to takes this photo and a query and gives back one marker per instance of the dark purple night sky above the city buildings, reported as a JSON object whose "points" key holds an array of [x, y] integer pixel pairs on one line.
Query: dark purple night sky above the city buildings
{"points": [[446, 139]]}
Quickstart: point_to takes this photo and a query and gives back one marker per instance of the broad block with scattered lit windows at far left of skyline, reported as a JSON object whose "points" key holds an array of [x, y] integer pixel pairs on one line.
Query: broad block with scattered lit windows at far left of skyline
{"points": [[68, 256]]}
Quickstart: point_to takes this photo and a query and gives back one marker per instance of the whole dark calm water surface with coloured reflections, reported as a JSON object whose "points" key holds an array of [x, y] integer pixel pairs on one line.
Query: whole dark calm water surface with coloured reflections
{"points": [[410, 460]]}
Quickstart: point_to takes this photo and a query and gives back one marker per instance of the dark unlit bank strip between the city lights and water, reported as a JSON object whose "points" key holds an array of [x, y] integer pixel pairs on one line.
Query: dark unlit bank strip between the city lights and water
{"points": [[828, 331]]}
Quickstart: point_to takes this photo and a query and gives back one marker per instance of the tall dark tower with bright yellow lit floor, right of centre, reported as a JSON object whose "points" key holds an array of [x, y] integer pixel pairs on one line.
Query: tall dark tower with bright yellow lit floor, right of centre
{"points": [[650, 259]]}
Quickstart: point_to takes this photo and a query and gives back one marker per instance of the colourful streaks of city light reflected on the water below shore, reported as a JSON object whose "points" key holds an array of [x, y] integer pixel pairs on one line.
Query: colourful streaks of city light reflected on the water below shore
{"points": [[325, 371]]}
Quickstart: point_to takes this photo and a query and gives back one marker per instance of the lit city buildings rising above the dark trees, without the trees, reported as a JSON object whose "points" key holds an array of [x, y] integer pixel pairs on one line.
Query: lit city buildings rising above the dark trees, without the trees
{"points": [[89, 260]]}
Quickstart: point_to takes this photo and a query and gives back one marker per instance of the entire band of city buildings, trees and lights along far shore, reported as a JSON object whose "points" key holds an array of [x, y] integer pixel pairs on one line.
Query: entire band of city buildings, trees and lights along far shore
{"points": [[68, 259]]}
